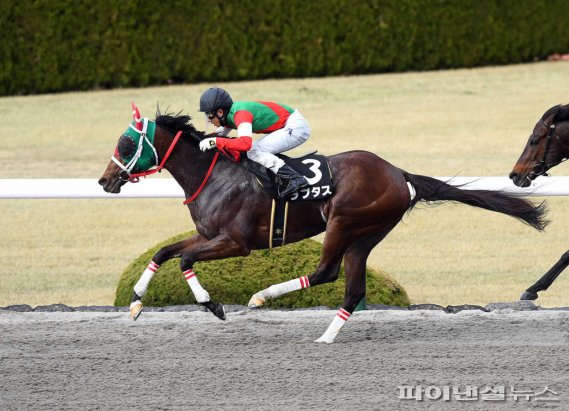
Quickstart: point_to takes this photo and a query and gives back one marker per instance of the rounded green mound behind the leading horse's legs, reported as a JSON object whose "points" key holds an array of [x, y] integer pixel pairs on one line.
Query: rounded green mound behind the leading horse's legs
{"points": [[235, 280]]}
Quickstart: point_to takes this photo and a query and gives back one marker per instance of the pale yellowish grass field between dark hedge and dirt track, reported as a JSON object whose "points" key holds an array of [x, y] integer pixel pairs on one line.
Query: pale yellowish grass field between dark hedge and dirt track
{"points": [[467, 122]]}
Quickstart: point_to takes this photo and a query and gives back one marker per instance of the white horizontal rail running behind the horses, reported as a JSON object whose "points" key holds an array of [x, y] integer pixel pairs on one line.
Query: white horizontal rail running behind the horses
{"points": [[168, 188]]}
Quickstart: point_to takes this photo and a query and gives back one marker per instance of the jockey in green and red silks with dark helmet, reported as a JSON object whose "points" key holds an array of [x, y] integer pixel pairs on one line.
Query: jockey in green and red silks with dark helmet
{"points": [[284, 128]]}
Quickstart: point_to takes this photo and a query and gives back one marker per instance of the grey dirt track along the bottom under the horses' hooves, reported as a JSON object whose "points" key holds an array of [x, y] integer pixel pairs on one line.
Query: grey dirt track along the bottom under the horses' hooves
{"points": [[267, 359]]}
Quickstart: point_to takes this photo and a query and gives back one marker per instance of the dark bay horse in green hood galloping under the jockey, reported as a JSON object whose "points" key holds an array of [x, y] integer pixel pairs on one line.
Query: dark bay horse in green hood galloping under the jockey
{"points": [[232, 211]]}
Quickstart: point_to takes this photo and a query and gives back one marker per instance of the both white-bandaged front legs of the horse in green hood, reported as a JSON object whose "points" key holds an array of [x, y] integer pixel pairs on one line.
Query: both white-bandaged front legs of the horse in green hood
{"points": [[196, 248]]}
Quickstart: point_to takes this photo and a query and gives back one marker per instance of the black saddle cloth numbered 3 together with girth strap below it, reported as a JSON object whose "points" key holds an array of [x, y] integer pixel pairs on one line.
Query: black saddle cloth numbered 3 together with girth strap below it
{"points": [[313, 167]]}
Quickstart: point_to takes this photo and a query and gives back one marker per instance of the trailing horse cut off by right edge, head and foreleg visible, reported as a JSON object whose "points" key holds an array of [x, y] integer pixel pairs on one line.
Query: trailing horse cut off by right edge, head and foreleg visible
{"points": [[547, 146]]}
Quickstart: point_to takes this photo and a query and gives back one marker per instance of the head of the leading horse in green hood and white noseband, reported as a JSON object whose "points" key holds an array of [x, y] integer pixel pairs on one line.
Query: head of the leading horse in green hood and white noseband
{"points": [[134, 153]]}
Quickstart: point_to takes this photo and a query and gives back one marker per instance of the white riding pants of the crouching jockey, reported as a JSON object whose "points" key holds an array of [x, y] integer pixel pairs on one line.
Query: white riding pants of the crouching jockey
{"points": [[295, 132]]}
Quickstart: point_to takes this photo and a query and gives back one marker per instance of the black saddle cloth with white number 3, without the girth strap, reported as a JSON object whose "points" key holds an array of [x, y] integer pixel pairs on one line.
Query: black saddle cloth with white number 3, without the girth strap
{"points": [[314, 167]]}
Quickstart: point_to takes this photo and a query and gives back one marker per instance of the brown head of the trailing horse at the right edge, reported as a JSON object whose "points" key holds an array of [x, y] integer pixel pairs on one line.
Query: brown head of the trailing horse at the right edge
{"points": [[547, 146]]}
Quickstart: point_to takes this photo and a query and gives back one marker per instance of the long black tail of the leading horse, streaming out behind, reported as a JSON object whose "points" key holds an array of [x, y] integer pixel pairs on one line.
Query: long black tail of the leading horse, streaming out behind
{"points": [[430, 189]]}
